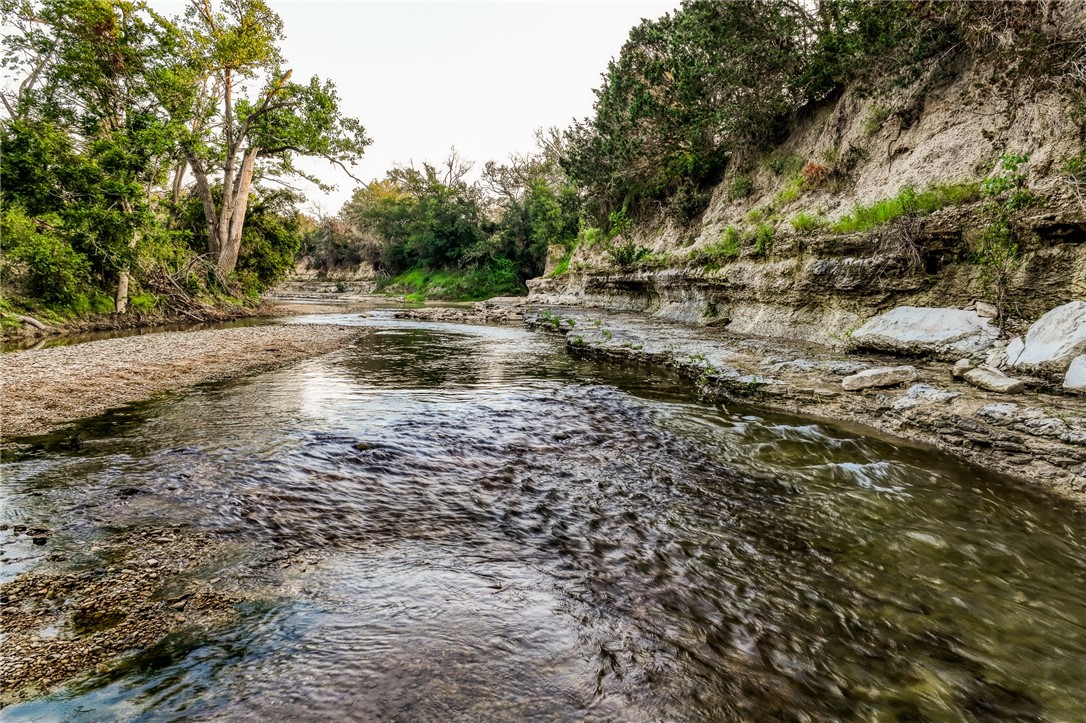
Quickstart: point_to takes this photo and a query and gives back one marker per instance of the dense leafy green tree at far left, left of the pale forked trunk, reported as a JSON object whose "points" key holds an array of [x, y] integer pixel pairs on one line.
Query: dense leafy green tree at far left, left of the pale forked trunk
{"points": [[93, 70]]}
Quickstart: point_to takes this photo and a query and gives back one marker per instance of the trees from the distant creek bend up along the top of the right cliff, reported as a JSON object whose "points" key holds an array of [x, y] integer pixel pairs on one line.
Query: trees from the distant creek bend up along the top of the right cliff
{"points": [[712, 86]]}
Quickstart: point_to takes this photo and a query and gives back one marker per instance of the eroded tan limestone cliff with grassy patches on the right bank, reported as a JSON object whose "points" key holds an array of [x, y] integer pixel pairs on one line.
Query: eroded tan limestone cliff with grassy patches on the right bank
{"points": [[763, 259]]}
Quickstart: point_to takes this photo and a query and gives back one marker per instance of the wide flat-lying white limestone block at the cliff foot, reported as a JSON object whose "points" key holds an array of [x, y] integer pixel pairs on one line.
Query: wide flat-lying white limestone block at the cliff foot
{"points": [[920, 332]]}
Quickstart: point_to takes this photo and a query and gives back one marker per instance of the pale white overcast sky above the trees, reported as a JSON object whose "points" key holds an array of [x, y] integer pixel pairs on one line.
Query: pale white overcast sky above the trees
{"points": [[426, 77]]}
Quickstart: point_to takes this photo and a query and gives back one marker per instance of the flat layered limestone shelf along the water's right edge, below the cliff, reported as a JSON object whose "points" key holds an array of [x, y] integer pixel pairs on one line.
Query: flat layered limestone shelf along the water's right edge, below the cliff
{"points": [[1039, 437]]}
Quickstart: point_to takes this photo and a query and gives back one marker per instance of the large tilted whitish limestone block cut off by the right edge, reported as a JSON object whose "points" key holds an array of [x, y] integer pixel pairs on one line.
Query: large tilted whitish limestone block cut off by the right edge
{"points": [[1053, 341]]}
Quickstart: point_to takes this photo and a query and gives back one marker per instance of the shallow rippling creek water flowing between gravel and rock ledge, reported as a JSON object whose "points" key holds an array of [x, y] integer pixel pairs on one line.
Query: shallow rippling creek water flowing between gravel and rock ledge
{"points": [[497, 531]]}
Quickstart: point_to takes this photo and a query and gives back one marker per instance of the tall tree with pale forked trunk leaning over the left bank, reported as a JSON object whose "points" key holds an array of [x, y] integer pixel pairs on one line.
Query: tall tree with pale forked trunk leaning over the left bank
{"points": [[231, 135]]}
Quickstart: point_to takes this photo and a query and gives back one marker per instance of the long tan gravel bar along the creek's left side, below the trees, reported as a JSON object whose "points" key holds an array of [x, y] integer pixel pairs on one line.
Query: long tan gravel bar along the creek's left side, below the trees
{"points": [[45, 389]]}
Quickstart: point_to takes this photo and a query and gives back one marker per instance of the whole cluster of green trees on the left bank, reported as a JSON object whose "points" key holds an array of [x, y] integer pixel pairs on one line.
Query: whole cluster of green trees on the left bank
{"points": [[151, 148]]}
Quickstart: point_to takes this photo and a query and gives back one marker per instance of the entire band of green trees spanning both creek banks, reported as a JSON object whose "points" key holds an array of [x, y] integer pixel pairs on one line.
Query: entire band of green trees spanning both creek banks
{"points": [[145, 147]]}
